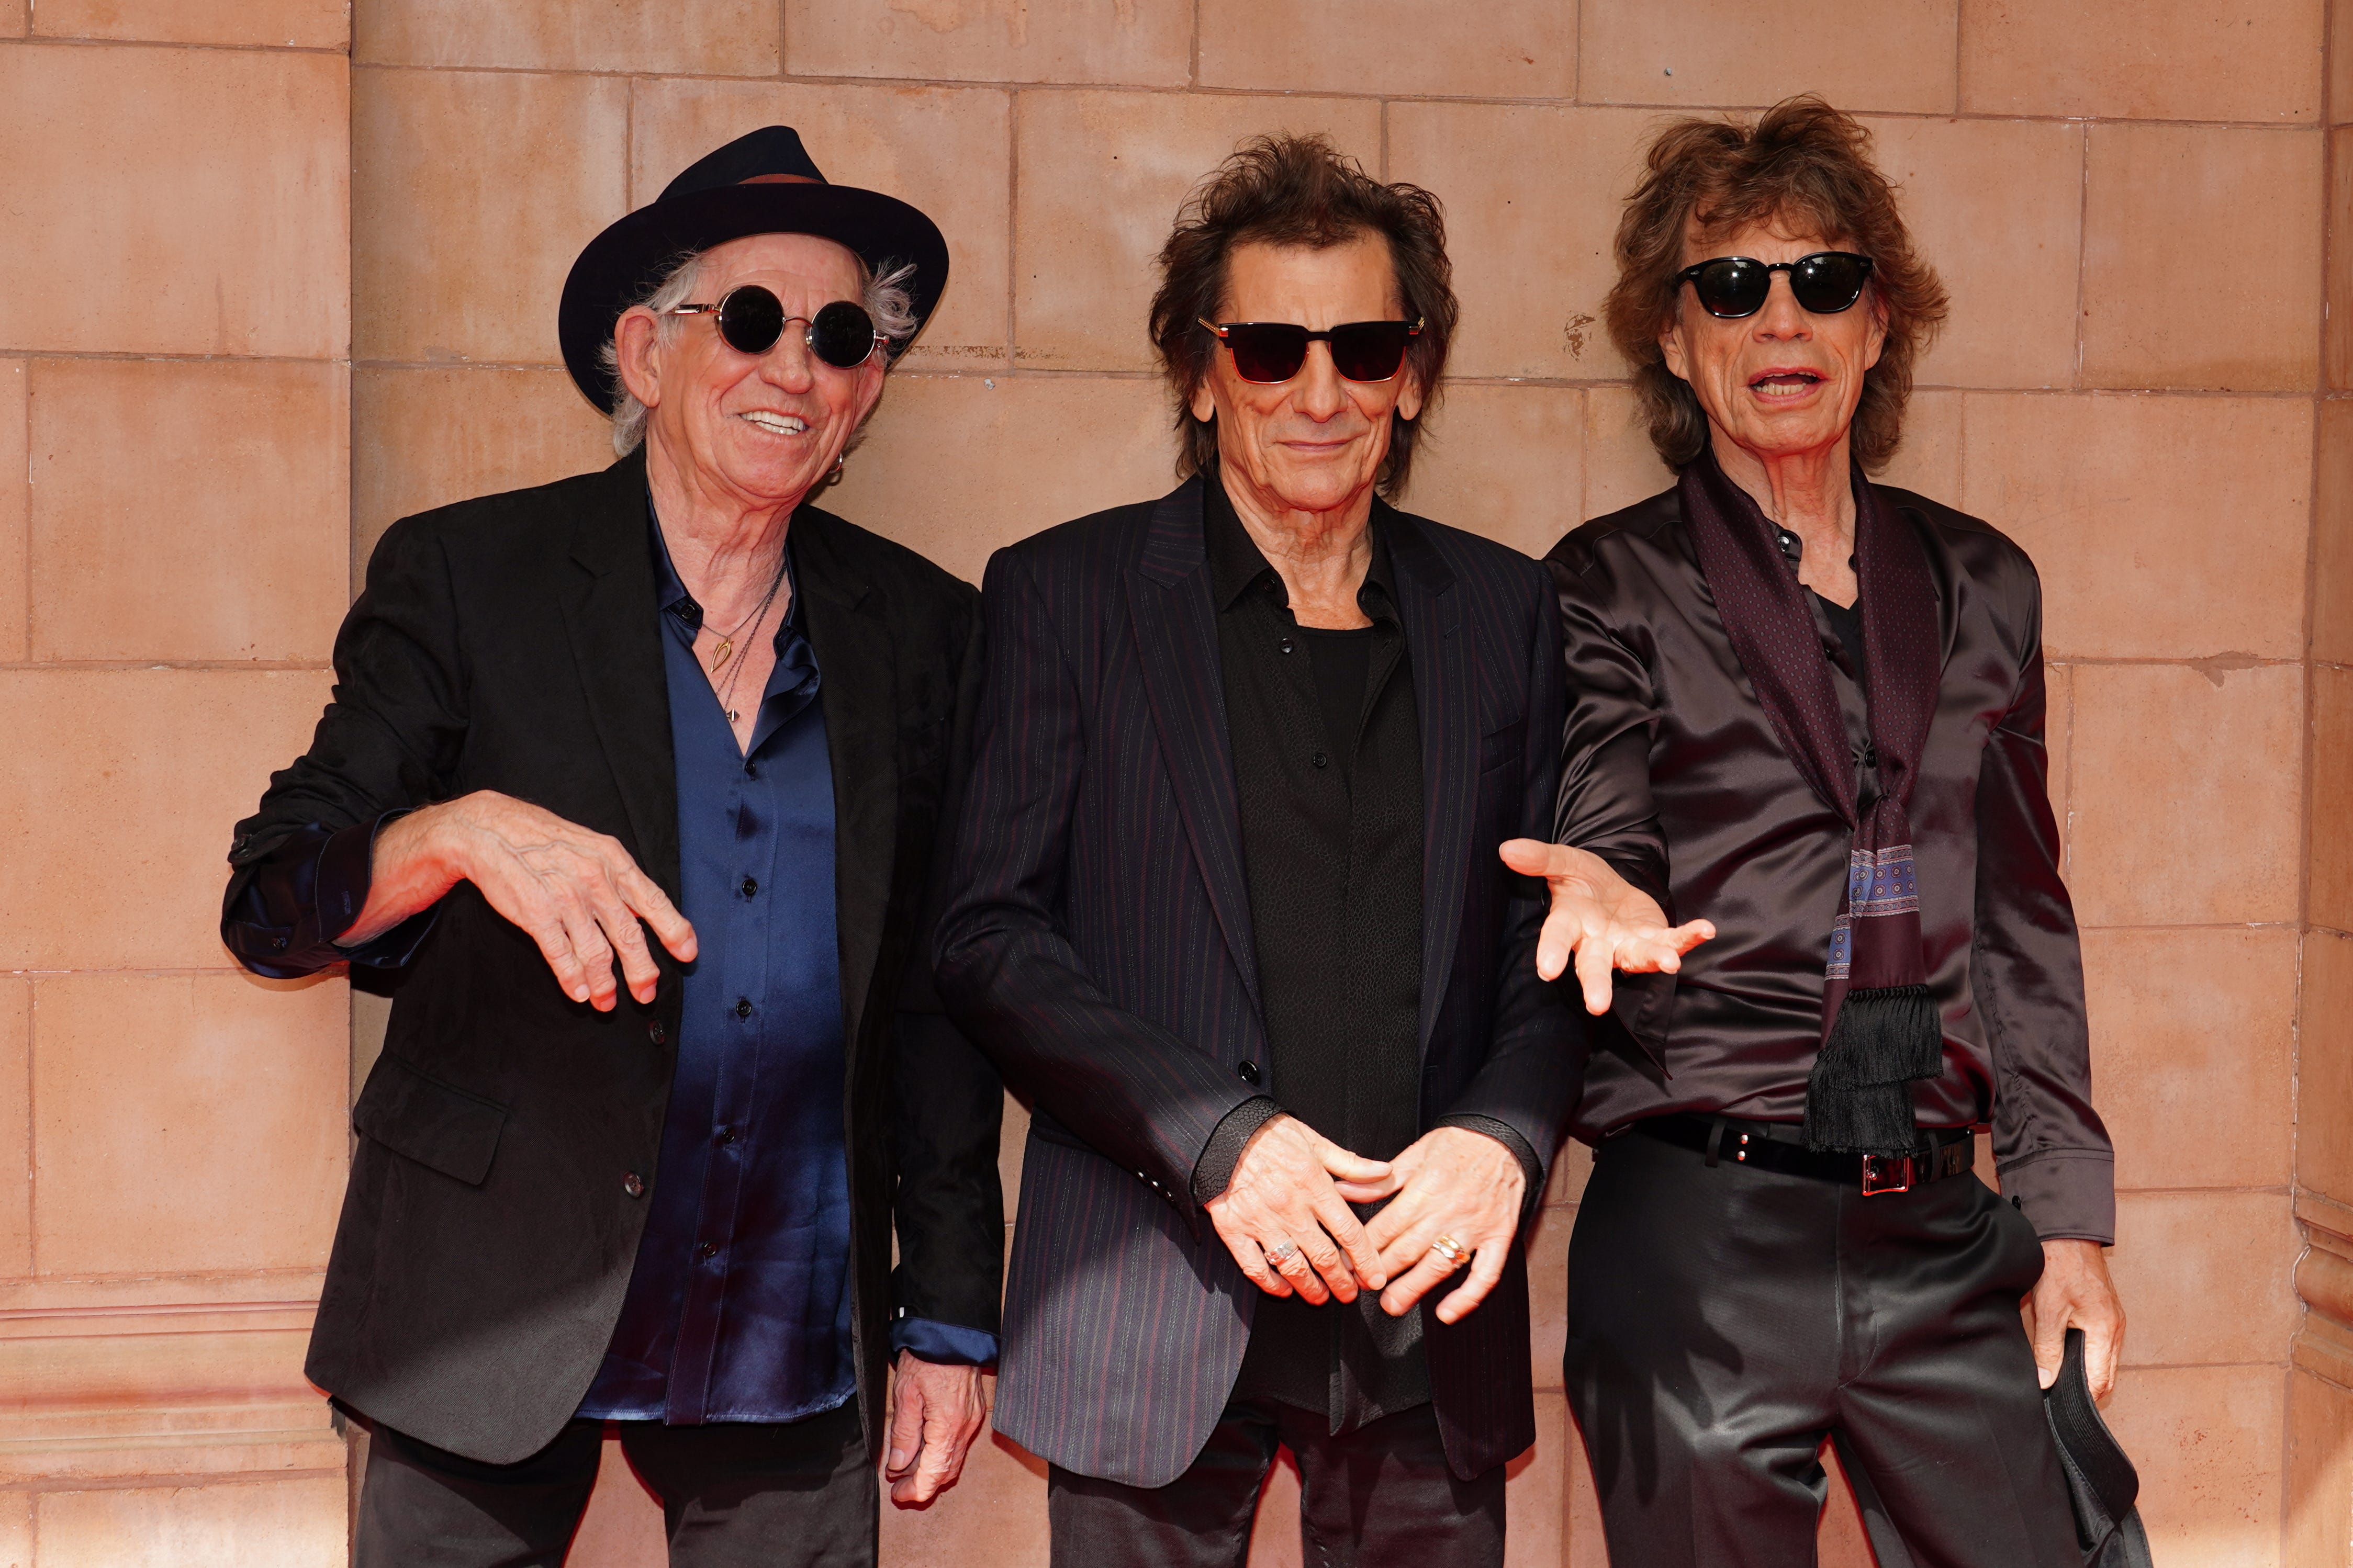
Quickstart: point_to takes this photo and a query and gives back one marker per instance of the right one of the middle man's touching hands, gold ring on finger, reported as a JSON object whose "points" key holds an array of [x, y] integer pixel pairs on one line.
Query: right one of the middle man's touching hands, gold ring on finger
{"points": [[1451, 1184]]}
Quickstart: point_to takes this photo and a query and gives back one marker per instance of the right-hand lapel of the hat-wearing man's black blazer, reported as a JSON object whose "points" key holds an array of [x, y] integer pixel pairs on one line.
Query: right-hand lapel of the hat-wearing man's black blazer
{"points": [[858, 669]]}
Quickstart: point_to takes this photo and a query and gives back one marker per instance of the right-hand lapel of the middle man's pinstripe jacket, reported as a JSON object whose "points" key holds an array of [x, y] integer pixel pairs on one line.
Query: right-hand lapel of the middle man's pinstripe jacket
{"points": [[1448, 709]]}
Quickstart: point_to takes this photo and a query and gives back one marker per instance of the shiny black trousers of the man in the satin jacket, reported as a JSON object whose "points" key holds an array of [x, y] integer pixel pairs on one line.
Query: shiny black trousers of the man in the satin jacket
{"points": [[1726, 1320]]}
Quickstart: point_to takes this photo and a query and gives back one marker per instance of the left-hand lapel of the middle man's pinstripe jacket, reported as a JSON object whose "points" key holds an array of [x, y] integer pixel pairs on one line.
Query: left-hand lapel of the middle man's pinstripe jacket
{"points": [[1168, 601]]}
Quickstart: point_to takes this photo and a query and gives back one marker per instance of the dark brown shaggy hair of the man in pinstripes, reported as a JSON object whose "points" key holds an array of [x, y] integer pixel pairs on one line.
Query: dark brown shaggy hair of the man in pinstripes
{"points": [[1300, 192]]}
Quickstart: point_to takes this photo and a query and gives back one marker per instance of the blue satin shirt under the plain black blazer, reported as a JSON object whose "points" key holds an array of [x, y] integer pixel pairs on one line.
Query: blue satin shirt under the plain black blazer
{"points": [[740, 1301]]}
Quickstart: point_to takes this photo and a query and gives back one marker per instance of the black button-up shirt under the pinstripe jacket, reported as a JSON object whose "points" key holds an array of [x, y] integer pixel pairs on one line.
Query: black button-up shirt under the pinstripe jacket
{"points": [[1328, 775]]}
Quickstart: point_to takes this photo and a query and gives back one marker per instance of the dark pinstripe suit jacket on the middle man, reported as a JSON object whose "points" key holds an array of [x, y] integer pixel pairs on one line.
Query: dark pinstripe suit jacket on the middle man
{"points": [[1098, 946]]}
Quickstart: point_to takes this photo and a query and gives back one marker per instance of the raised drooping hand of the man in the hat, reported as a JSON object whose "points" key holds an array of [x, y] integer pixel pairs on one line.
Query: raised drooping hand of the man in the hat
{"points": [[575, 892]]}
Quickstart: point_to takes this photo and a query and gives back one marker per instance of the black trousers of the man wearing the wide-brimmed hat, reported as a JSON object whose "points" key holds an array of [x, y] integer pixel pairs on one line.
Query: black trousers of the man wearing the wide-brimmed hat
{"points": [[733, 1496]]}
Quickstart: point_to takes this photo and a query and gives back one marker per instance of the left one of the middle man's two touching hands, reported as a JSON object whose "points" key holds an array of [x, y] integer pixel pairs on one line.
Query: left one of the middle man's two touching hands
{"points": [[1284, 1195]]}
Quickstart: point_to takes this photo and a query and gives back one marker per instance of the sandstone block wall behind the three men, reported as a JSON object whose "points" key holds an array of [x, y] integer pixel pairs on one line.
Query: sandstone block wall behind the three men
{"points": [[274, 274]]}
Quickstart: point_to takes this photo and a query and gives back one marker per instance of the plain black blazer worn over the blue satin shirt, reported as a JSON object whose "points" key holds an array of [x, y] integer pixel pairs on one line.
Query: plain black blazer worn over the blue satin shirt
{"points": [[491, 1228]]}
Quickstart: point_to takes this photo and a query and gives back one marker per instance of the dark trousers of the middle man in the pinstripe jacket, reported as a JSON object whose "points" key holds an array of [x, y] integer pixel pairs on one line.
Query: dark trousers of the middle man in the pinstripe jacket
{"points": [[1373, 1499]]}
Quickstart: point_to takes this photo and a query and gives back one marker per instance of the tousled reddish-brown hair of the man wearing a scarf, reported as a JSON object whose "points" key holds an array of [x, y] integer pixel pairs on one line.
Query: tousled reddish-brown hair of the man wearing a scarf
{"points": [[1804, 168]]}
